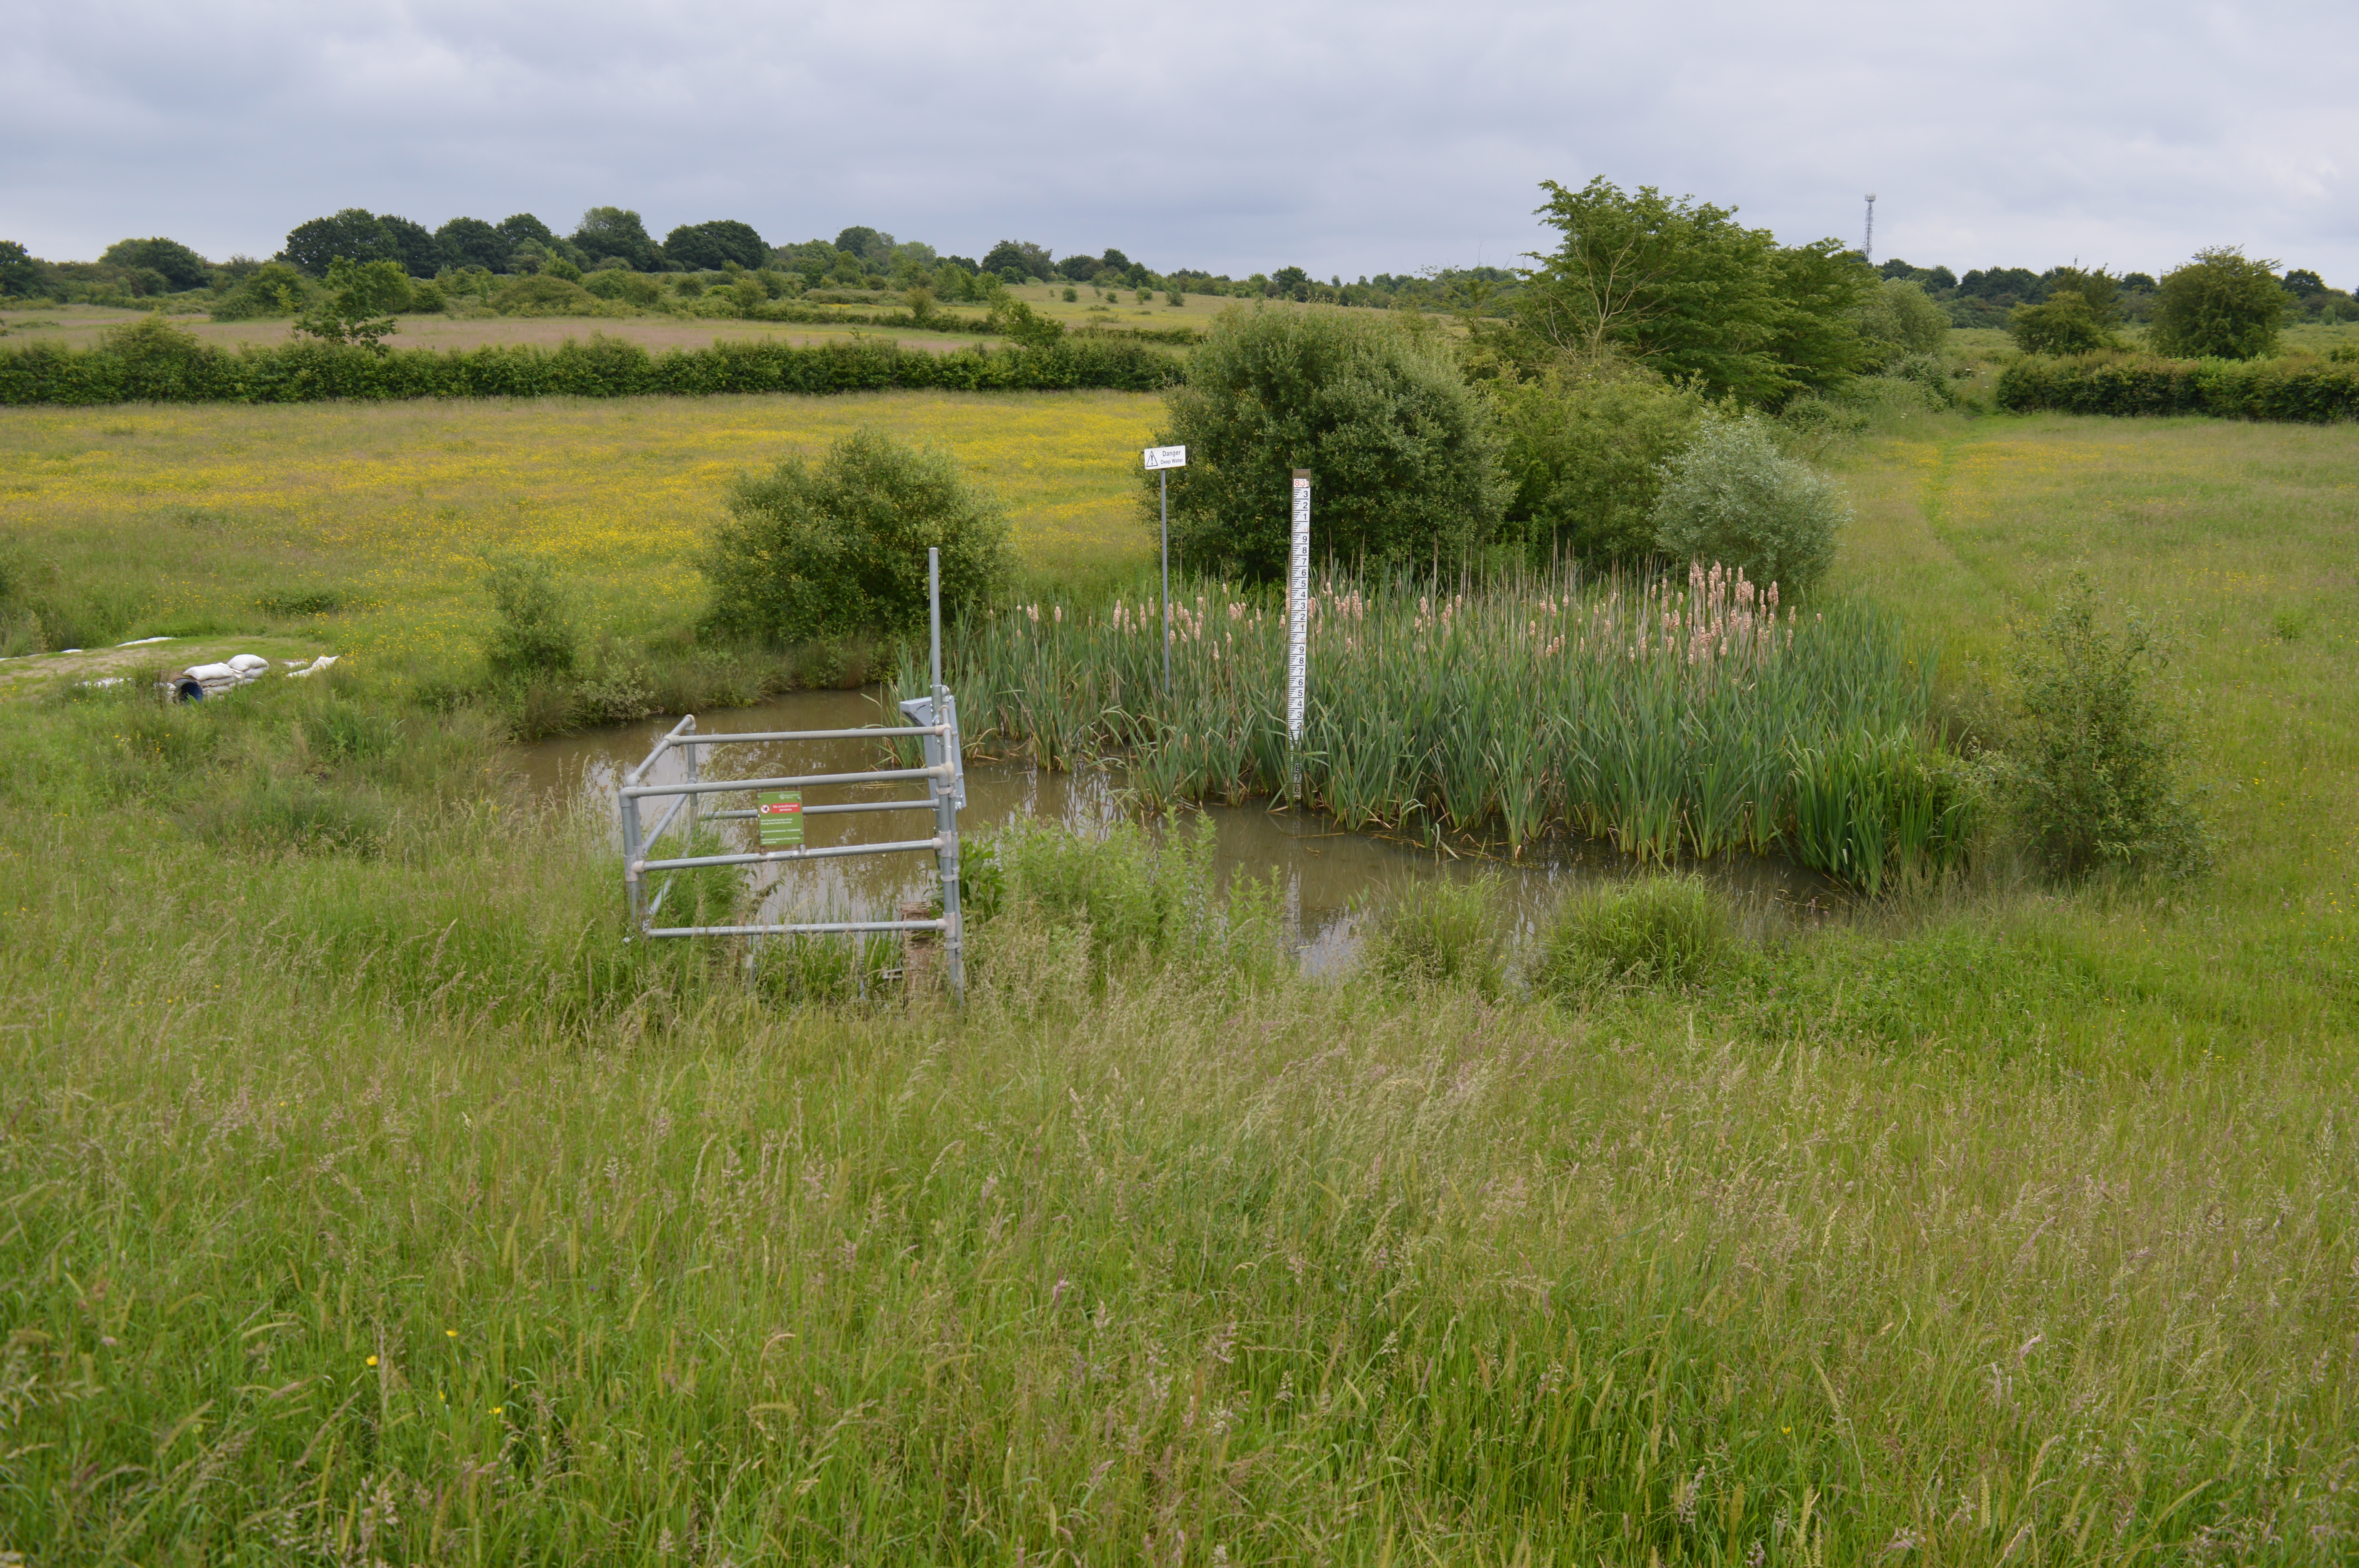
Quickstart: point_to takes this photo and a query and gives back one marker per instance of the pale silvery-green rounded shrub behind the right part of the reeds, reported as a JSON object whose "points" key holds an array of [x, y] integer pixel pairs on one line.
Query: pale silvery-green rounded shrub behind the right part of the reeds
{"points": [[1737, 501]]}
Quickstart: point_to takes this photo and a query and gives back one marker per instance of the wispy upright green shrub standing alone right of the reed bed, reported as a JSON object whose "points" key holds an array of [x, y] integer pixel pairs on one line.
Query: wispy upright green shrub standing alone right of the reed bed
{"points": [[2094, 756]]}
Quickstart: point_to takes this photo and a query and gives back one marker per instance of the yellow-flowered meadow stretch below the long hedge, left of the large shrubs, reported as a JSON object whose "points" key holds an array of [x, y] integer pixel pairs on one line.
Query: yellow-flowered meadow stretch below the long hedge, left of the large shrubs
{"points": [[395, 508]]}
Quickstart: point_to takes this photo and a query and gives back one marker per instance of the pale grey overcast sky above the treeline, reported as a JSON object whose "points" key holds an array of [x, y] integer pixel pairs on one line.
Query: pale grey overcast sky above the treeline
{"points": [[1233, 138]]}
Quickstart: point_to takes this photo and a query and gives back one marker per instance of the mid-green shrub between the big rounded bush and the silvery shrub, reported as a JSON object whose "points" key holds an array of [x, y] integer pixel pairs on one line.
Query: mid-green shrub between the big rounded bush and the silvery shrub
{"points": [[1586, 461]]}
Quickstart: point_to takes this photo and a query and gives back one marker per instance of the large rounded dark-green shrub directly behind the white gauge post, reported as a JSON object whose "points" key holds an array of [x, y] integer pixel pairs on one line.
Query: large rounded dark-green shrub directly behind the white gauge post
{"points": [[1402, 456]]}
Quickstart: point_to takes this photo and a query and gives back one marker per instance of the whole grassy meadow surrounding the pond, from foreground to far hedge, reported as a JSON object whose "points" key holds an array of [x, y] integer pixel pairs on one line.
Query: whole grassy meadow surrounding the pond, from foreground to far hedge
{"points": [[364, 1197]]}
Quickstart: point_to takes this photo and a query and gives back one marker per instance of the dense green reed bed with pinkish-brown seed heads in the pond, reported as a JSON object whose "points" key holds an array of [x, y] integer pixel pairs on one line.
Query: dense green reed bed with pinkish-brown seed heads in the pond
{"points": [[1671, 718]]}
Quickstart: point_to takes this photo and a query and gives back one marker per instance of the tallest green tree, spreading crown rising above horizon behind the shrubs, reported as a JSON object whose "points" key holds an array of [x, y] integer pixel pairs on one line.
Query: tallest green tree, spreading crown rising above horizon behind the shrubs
{"points": [[1690, 294]]}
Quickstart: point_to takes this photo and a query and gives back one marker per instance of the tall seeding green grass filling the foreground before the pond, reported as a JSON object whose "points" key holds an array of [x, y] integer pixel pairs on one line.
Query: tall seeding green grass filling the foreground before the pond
{"points": [[485, 1237]]}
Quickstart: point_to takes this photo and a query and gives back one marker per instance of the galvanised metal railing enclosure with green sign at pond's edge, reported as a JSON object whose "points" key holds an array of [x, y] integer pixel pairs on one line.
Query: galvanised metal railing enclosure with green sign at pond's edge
{"points": [[780, 815]]}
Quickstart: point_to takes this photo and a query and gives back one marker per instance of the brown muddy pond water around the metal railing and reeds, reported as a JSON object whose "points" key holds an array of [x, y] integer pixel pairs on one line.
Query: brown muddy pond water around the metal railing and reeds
{"points": [[1322, 871]]}
